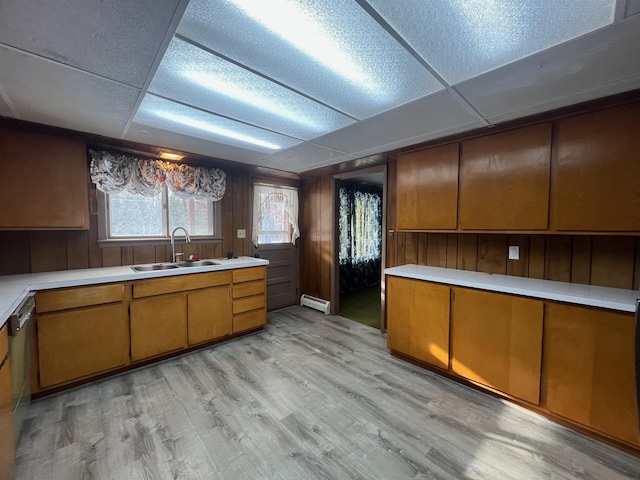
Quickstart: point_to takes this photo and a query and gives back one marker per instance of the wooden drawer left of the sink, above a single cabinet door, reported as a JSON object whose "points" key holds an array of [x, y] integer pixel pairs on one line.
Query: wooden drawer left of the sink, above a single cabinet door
{"points": [[50, 301]]}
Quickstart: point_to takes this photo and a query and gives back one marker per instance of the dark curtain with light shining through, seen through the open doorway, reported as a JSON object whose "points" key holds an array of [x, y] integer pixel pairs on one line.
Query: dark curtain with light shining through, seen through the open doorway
{"points": [[360, 228]]}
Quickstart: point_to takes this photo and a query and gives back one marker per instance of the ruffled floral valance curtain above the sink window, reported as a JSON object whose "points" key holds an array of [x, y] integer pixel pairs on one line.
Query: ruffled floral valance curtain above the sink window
{"points": [[114, 173]]}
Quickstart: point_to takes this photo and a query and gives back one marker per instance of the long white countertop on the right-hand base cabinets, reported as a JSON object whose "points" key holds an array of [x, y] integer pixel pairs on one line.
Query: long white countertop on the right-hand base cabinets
{"points": [[589, 295]]}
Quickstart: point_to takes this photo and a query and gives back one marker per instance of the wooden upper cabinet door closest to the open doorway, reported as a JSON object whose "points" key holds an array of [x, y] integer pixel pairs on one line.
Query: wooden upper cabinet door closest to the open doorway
{"points": [[427, 185]]}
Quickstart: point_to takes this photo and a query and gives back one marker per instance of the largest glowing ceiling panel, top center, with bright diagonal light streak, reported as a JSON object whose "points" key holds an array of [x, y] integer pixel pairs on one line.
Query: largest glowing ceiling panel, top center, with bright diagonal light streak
{"points": [[339, 56]]}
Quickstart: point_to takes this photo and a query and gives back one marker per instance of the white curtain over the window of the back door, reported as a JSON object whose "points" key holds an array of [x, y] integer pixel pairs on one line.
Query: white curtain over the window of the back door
{"points": [[275, 214]]}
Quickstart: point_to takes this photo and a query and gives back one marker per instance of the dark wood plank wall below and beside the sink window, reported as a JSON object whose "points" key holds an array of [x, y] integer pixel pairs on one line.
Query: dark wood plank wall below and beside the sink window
{"points": [[45, 251]]}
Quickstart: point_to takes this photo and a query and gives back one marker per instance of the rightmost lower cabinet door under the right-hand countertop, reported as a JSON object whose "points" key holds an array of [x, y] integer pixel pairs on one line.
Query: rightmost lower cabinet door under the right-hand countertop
{"points": [[588, 367]]}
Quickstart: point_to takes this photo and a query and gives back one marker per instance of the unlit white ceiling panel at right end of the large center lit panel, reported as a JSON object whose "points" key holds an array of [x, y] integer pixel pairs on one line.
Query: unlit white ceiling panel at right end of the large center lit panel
{"points": [[431, 117]]}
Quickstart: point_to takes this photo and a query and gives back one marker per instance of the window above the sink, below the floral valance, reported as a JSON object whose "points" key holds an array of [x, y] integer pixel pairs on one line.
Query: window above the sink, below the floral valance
{"points": [[129, 216]]}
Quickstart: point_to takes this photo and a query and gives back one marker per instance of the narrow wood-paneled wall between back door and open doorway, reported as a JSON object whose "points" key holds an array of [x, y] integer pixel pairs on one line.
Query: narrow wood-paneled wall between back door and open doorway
{"points": [[316, 226]]}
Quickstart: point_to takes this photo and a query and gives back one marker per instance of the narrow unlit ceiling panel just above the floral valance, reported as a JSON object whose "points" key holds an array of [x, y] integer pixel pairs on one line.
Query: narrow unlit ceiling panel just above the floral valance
{"points": [[185, 143]]}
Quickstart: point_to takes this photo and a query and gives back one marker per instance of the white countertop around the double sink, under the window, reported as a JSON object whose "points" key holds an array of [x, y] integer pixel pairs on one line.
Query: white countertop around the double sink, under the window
{"points": [[14, 288]]}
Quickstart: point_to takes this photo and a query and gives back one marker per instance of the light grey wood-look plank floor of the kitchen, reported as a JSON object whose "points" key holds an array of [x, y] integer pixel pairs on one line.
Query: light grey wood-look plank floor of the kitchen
{"points": [[310, 397]]}
